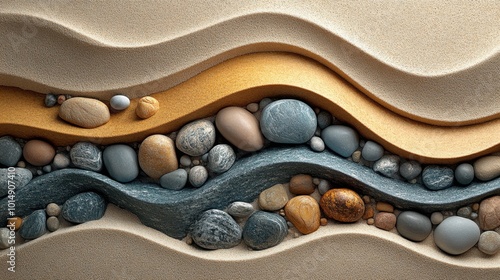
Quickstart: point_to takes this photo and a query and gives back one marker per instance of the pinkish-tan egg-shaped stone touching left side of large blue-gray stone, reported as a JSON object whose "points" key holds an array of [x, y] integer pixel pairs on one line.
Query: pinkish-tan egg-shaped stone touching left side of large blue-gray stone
{"points": [[240, 127]]}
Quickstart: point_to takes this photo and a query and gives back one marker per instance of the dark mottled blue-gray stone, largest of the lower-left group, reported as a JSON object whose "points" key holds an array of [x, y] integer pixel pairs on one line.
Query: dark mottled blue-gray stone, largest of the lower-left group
{"points": [[84, 207]]}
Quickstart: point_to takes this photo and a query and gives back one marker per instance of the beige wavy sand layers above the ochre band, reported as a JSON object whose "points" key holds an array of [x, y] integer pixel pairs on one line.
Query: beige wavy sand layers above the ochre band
{"points": [[441, 73]]}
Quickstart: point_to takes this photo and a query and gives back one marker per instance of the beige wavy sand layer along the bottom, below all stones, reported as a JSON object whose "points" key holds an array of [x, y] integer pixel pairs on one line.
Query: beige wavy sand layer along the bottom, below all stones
{"points": [[97, 250]]}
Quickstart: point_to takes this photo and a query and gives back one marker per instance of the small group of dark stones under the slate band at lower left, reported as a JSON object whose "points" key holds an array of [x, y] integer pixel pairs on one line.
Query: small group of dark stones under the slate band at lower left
{"points": [[81, 208]]}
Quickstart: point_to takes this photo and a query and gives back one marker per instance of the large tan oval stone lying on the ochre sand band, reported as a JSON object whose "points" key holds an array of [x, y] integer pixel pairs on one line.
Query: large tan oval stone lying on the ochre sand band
{"points": [[84, 112]]}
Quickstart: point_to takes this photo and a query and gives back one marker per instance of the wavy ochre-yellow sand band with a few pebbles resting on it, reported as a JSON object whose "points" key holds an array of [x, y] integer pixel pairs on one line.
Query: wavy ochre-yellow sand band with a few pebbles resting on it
{"points": [[246, 79]]}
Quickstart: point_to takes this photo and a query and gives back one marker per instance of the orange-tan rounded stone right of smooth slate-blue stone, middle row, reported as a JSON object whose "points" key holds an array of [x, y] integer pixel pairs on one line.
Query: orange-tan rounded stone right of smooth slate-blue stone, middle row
{"points": [[157, 156]]}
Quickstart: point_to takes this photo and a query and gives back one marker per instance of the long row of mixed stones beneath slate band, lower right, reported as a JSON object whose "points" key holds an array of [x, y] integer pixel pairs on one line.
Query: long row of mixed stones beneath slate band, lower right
{"points": [[306, 203]]}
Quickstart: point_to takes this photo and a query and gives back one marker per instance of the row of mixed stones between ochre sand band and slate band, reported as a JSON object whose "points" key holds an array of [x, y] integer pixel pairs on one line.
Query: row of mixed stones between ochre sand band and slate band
{"points": [[284, 121]]}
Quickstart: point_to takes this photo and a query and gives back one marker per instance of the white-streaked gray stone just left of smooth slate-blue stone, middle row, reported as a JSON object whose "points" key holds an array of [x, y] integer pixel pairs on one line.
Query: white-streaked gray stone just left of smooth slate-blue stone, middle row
{"points": [[86, 155]]}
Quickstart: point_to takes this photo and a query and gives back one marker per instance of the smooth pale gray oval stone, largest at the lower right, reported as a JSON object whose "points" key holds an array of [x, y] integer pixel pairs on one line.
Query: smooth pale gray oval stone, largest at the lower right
{"points": [[456, 235]]}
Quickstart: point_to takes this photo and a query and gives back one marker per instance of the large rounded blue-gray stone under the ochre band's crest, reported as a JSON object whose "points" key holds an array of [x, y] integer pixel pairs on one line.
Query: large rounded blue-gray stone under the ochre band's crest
{"points": [[288, 121]]}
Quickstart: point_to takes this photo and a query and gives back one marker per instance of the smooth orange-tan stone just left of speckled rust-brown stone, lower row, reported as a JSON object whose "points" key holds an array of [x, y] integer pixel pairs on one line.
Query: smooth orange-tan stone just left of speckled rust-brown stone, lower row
{"points": [[303, 212]]}
